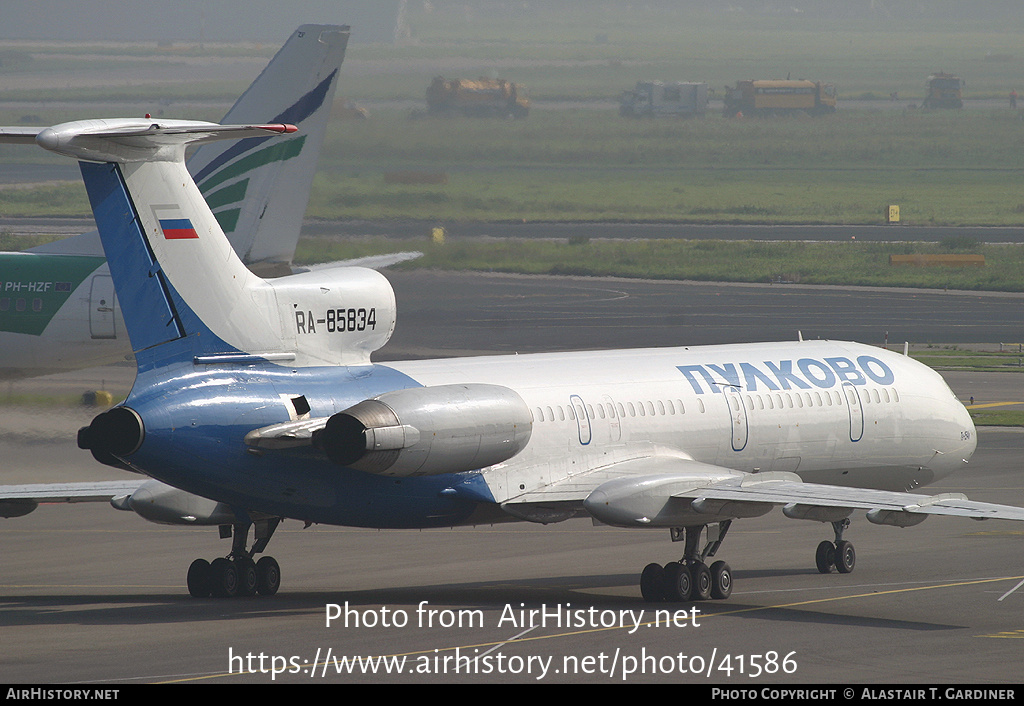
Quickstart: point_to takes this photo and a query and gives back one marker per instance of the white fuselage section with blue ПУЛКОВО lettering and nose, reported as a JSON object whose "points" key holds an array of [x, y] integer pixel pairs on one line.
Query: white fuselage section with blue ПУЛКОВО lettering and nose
{"points": [[792, 407]]}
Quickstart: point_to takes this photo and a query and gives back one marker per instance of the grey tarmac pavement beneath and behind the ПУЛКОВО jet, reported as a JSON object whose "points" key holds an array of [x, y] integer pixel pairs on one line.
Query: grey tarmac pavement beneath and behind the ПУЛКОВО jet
{"points": [[95, 596]]}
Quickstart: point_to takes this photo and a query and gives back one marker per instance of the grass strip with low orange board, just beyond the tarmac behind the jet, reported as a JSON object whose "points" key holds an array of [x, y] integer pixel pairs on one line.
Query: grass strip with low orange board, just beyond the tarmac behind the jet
{"points": [[829, 264]]}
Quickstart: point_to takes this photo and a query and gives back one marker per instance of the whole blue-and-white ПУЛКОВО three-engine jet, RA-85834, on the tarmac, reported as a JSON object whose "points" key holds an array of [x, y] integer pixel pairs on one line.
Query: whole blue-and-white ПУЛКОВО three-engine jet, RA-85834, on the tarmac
{"points": [[258, 400]]}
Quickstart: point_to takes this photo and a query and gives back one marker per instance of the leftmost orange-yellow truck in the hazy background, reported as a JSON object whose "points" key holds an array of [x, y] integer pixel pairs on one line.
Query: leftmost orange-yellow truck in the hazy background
{"points": [[490, 98]]}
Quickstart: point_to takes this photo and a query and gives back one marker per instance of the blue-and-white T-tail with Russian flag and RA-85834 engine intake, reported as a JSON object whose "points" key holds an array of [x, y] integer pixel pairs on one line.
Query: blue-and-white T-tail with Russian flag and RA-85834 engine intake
{"points": [[178, 277]]}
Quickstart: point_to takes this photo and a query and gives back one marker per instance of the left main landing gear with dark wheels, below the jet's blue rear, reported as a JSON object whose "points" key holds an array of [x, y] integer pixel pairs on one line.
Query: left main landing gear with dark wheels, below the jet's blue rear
{"points": [[238, 574]]}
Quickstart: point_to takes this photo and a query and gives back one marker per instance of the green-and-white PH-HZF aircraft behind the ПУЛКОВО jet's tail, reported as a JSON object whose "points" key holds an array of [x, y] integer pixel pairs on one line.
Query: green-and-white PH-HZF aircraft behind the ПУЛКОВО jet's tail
{"points": [[58, 306]]}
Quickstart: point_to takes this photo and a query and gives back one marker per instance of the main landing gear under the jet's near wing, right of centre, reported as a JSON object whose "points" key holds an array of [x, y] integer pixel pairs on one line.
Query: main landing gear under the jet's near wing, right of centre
{"points": [[690, 578]]}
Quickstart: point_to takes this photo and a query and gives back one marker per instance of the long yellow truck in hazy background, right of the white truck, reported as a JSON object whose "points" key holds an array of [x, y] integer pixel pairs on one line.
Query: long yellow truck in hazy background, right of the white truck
{"points": [[780, 97]]}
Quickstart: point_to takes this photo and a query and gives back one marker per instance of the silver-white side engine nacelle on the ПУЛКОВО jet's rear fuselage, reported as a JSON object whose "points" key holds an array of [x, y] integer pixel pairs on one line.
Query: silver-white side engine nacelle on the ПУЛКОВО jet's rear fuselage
{"points": [[430, 431]]}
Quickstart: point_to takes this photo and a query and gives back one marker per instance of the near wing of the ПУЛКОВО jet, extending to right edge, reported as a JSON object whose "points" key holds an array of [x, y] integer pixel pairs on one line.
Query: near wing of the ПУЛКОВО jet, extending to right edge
{"points": [[670, 491]]}
